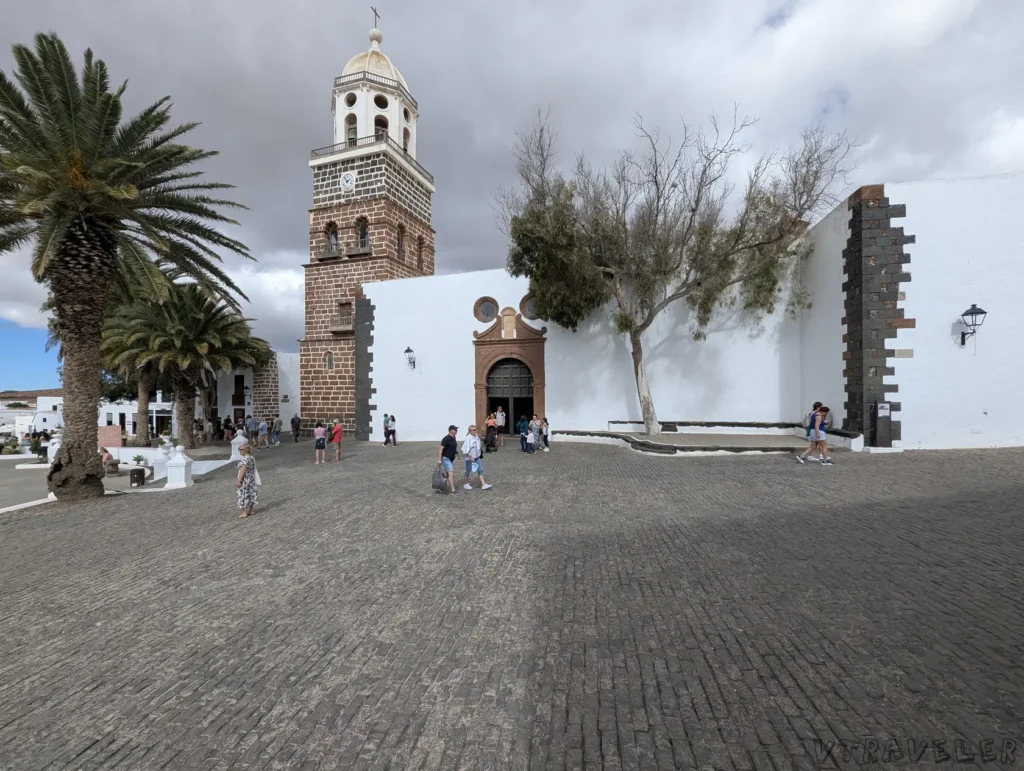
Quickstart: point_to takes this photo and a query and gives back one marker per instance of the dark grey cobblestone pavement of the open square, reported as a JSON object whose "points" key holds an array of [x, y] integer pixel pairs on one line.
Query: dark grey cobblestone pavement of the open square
{"points": [[600, 609]]}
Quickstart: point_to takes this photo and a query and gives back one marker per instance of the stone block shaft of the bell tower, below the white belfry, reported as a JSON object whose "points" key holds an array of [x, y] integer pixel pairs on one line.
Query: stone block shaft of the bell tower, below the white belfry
{"points": [[394, 206]]}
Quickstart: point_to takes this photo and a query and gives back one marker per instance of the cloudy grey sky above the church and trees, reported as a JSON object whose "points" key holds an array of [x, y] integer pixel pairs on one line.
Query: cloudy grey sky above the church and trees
{"points": [[931, 88]]}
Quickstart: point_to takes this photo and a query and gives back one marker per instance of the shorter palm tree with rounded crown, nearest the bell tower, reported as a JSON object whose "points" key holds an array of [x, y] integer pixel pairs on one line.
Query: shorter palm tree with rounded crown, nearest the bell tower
{"points": [[191, 338]]}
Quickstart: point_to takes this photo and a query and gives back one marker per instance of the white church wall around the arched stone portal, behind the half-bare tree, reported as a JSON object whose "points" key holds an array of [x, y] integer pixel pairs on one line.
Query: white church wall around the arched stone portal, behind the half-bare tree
{"points": [[739, 374]]}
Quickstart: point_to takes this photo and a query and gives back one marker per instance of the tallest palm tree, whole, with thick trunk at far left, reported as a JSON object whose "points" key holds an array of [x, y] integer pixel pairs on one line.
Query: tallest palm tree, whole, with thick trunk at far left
{"points": [[102, 201]]}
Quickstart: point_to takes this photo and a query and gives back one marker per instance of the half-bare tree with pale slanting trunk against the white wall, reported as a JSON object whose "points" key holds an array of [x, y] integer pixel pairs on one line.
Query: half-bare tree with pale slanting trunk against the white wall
{"points": [[663, 226]]}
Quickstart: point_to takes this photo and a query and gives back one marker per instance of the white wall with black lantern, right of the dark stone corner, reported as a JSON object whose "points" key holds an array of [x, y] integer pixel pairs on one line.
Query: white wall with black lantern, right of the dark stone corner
{"points": [[970, 249]]}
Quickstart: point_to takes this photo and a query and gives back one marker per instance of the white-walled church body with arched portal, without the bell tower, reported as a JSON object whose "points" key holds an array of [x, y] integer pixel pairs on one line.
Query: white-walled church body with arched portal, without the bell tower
{"points": [[871, 335]]}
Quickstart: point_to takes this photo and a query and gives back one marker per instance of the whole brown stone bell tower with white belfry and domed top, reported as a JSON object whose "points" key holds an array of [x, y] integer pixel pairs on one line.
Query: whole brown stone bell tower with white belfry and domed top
{"points": [[370, 223]]}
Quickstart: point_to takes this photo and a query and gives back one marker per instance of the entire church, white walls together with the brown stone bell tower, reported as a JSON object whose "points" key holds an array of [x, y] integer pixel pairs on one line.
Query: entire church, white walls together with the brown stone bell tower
{"points": [[884, 344]]}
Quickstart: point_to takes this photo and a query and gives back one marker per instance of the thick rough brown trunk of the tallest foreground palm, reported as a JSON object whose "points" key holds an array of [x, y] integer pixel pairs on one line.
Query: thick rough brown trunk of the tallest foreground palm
{"points": [[80, 283]]}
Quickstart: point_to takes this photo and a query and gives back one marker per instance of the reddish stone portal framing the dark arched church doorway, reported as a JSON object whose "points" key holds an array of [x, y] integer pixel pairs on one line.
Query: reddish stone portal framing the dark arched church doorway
{"points": [[510, 361]]}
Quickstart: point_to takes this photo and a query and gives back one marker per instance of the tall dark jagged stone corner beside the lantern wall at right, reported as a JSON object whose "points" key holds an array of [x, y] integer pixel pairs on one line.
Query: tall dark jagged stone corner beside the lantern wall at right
{"points": [[874, 263]]}
